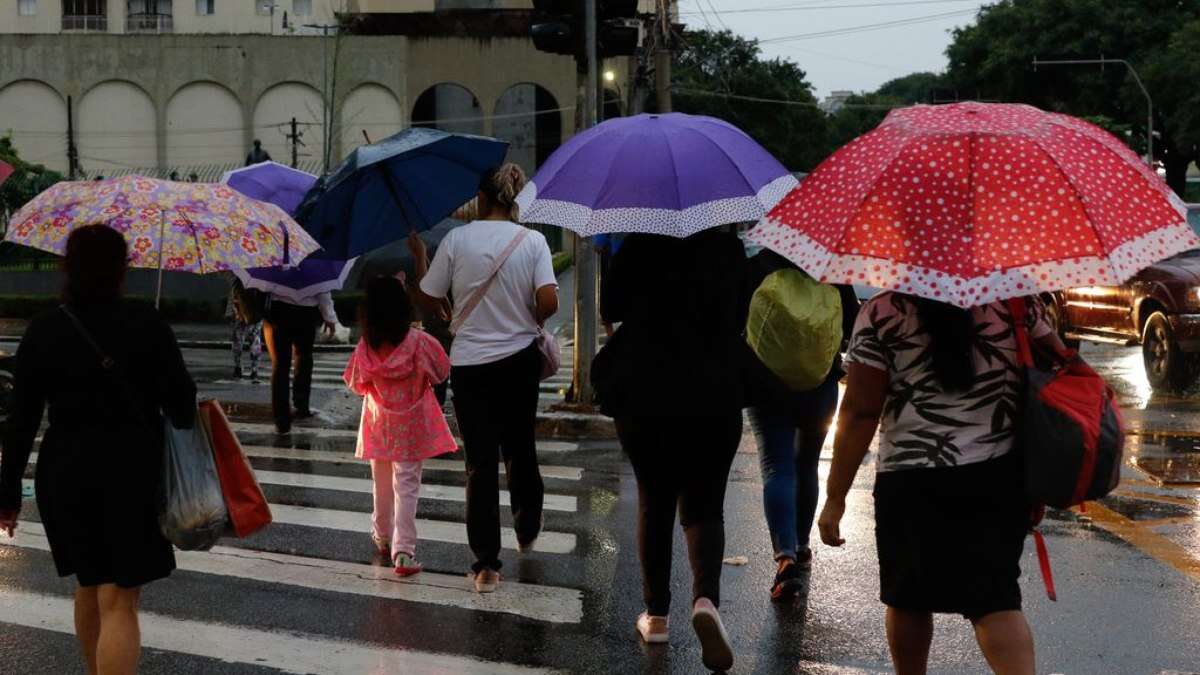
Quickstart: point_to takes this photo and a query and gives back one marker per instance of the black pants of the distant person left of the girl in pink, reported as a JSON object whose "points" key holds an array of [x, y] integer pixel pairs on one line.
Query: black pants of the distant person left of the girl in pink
{"points": [[291, 332]]}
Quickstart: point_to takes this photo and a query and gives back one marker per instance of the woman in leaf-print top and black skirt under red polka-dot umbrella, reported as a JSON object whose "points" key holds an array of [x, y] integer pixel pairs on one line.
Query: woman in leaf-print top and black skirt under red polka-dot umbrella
{"points": [[945, 390]]}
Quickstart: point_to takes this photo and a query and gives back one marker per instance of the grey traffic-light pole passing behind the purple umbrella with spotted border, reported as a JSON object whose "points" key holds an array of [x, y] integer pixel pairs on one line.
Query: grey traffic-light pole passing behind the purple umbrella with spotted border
{"points": [[586, 292]]}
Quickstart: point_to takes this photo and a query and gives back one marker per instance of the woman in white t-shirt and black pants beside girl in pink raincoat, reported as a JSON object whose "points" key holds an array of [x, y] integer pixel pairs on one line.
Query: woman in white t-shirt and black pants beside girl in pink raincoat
{"points": [[496, 365]]}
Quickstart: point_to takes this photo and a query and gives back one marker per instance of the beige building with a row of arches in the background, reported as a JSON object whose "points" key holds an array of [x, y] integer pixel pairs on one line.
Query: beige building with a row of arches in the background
{"points": [[193, 94]]}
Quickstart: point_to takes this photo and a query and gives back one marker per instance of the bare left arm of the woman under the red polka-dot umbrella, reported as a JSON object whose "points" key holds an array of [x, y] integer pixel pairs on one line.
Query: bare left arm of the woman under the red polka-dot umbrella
{"points": [[857, 423]]}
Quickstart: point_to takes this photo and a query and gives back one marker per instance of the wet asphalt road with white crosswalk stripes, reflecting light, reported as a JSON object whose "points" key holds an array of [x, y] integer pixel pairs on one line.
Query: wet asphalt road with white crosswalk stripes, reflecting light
{"points": [[1129, 574]]}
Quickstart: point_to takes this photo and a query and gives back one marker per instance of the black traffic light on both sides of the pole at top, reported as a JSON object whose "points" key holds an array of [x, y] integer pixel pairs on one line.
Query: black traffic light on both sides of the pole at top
{"points": [[559, 28]]}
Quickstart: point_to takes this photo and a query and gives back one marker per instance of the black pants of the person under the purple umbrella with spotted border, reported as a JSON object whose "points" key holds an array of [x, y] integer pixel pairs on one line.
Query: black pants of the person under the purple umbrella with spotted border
{"points": [[681, 464]]}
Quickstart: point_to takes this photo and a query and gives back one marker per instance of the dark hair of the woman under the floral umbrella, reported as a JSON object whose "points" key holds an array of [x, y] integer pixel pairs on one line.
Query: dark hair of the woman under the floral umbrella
{"points": [[95, 266]]}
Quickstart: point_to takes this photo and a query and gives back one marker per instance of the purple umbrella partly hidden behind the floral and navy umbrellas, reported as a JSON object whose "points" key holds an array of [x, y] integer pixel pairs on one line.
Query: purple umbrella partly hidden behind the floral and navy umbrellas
{"points": [[285, 188]]}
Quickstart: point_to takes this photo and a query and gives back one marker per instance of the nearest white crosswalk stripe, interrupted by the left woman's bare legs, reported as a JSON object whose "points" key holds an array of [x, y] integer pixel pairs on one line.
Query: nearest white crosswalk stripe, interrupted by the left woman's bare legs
{"points": [[284, 652]]}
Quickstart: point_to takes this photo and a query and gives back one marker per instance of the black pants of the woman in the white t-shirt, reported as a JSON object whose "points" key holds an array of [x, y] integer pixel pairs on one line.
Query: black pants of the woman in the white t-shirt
{"points": [[496, 405]]}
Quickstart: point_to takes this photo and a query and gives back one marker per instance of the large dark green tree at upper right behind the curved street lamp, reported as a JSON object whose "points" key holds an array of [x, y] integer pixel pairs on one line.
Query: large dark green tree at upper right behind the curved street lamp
{"points": [[993, 59]]}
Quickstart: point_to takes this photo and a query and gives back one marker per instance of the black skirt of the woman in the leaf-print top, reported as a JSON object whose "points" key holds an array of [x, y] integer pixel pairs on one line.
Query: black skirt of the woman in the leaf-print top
{"points": [[951, 540]]}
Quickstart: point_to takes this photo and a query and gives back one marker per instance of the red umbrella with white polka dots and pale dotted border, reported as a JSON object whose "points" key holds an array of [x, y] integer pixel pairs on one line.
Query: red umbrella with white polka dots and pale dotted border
{"points": [[970, 204]]}
